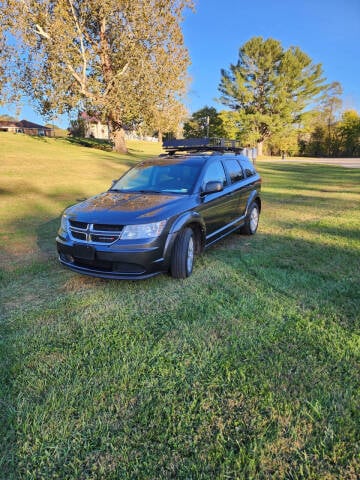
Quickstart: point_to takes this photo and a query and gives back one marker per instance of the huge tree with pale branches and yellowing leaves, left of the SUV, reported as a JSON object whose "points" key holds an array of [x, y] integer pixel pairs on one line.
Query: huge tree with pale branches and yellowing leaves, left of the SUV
{"points": [[116, 59]]}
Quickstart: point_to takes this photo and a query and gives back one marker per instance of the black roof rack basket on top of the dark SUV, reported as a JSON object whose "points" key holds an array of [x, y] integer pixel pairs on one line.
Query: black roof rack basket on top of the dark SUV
{"points": [[202, 145]]}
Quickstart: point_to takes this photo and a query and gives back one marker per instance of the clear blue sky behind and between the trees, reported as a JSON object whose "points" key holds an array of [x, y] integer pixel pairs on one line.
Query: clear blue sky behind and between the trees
{"points": [[327, 30]]}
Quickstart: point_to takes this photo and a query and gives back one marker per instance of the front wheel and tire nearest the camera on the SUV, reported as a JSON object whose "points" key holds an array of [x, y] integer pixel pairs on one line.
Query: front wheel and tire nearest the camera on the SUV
{"points": [[182, 258]]}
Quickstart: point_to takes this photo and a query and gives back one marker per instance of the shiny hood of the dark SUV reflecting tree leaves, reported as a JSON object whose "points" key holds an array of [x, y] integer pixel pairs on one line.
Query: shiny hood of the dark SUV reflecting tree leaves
{"points": [[127, 208]]}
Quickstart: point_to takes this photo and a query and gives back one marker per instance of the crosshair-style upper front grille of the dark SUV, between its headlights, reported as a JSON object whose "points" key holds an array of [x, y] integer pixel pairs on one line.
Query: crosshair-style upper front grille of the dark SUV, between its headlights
{"points": [[94, 232]]}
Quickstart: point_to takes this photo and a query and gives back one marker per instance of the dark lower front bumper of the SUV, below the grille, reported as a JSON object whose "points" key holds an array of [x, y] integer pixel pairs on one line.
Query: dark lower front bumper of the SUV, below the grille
{"points": [[114, 262]]}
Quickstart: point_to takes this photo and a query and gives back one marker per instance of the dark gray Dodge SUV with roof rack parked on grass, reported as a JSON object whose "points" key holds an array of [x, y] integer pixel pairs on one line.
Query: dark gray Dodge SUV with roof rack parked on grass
{"points": [[163, 212]]}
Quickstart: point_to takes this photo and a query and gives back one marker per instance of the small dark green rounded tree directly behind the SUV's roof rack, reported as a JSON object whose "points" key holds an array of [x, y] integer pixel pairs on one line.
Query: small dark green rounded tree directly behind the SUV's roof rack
{"points": [[206, 122]]}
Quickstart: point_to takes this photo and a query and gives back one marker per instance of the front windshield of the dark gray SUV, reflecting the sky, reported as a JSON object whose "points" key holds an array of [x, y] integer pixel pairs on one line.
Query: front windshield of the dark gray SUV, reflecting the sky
{"points": [[166, 177]]}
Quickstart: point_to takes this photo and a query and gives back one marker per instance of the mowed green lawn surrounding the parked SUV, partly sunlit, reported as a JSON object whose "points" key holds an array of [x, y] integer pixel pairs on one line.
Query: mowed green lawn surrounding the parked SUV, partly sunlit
{"points": [[249, 369]]}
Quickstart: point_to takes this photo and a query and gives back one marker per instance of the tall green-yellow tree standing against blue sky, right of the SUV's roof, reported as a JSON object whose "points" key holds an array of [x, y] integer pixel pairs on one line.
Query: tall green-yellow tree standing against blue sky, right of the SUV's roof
{"points": [[270, 87]]}
